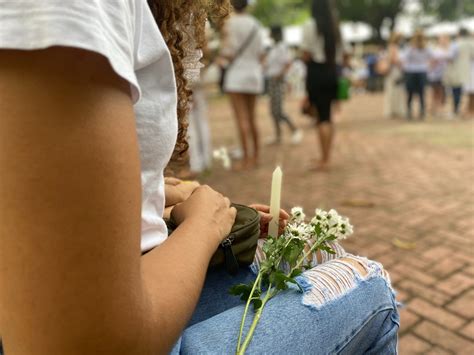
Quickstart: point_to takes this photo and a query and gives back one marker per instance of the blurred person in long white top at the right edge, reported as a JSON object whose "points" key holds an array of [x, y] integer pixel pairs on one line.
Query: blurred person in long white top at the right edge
{"points": [[458, 72]]}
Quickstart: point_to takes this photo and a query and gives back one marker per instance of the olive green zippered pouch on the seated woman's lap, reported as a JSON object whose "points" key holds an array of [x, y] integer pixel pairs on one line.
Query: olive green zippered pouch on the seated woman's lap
{"points": [[239, 248]]}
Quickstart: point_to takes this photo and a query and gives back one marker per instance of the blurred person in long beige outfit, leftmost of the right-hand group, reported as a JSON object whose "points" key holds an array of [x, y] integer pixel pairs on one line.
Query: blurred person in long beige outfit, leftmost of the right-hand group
{"points": [[394, 92]]}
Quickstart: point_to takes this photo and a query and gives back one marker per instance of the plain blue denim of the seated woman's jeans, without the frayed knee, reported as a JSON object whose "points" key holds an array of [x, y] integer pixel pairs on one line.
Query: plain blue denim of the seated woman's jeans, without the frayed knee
{"points": [[363, 320]]}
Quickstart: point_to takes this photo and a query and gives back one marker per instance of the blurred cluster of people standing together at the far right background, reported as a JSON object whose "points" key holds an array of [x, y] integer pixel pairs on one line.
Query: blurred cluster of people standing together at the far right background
{"points": [[443, 65]]}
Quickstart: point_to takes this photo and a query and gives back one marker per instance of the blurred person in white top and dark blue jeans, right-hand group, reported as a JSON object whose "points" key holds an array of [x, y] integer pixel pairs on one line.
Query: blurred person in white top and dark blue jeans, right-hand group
{"points": [[416, 61]]}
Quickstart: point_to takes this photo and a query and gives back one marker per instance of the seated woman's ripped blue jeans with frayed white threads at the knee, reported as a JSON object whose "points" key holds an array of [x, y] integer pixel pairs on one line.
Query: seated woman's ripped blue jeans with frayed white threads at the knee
{"points": [[342, 311]]}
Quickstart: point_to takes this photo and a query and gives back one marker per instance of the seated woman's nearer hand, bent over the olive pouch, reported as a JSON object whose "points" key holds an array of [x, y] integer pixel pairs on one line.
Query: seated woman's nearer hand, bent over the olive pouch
{"points": [[207, 209]]}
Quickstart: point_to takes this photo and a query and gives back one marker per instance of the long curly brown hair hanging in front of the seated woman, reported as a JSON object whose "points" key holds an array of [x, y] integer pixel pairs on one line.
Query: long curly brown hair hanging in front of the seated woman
{"points": [[182, 24]]}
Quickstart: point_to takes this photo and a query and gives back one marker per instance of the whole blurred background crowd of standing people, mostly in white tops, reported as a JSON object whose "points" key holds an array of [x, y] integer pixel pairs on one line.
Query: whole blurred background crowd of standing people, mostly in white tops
{"points": [[435, 73]]}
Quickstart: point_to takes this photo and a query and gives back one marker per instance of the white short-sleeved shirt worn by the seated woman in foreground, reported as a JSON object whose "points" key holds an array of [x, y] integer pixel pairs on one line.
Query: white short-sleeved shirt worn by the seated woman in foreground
{"points": [[124, 31]]}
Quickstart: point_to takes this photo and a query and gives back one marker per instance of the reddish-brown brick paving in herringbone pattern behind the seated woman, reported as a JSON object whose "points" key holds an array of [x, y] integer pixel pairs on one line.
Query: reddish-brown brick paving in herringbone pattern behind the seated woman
{"points": [[418, 177]]}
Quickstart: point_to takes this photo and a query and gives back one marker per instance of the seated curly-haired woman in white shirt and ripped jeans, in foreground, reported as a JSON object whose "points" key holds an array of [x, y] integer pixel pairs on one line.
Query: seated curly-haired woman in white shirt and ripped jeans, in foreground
{"points": [[93, 95]]}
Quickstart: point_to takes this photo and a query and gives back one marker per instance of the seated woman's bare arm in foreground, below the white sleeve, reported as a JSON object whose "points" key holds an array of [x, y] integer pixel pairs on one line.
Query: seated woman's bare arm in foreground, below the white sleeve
{"points": [[71, 276]]}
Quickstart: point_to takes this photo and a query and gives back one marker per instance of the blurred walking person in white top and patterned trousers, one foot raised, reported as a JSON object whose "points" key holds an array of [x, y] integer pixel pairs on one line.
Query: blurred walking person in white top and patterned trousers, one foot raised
{"points": [[278, 62]]}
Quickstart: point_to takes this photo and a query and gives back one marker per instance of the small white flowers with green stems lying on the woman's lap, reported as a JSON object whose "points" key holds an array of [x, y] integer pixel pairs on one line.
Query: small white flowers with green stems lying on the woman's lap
{"points": [[286, 257]]}
